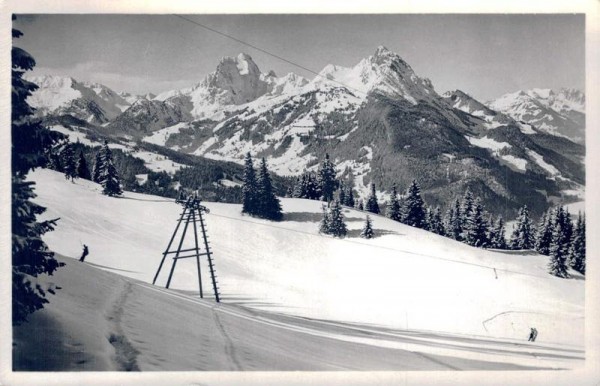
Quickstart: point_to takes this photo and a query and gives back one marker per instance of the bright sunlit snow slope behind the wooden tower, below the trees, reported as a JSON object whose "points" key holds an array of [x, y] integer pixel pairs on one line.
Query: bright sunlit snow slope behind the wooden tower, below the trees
{"points": [[404, 278]]}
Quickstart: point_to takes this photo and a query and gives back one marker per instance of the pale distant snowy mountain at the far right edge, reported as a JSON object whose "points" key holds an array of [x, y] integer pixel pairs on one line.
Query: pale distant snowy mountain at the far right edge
{"points": [[557, 112]]}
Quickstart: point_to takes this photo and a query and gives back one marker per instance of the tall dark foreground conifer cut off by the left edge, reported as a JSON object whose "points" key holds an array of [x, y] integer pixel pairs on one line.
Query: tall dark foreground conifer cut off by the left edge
{"points": [[30, 142]]}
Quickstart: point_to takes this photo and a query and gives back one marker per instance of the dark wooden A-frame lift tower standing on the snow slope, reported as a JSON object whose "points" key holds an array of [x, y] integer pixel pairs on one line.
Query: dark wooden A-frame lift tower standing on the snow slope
{"points": [[190, 217]]}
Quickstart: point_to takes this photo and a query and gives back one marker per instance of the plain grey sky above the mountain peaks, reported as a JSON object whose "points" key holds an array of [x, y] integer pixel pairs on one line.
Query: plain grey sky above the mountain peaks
{"points": [[483, 55]]}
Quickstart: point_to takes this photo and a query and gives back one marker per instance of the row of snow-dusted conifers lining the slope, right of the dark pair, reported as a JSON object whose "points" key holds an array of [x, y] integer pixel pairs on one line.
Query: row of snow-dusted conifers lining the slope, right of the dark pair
{"points": [[466, 219]]}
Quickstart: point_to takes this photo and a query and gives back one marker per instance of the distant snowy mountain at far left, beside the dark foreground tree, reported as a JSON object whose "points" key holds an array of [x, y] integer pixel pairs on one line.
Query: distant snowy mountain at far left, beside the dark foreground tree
{"points": [[90, 102]]}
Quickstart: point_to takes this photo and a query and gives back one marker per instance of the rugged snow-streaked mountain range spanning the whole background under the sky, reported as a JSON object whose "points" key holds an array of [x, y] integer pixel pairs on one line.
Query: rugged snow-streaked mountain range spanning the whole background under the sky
{"points": [[378, 120]]}
